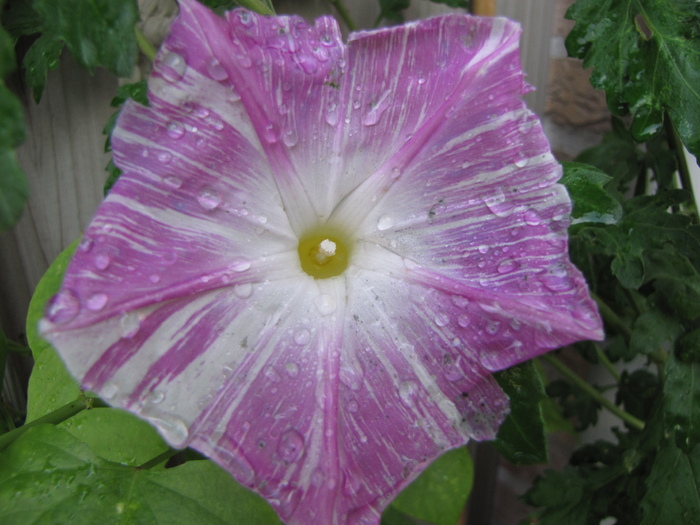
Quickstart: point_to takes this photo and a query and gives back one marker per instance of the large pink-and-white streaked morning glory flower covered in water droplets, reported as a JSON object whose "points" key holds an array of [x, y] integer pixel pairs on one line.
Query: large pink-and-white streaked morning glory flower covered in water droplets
{"points": [[318, 253]]}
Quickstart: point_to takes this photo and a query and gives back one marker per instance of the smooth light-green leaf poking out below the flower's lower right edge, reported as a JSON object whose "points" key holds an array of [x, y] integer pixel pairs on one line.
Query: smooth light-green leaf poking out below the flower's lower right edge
{"points": [[438, 495]]}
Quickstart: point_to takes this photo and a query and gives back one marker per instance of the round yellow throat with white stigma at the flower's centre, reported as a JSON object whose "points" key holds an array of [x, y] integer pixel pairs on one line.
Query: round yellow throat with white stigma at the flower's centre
{"points": [[324, 253]]}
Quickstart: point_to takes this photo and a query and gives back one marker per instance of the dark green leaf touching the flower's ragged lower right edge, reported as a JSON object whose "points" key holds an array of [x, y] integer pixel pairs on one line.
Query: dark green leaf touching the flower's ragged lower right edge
{"points": [[522, 437]]}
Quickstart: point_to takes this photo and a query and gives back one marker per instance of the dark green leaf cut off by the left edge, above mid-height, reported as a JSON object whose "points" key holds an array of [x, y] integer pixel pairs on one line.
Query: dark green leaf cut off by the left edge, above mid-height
{"points": [[14, 189]]}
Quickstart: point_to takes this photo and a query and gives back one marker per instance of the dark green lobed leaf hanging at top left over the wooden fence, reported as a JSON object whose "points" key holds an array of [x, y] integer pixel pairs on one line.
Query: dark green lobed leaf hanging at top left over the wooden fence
{"points": [[97, 33]]}
